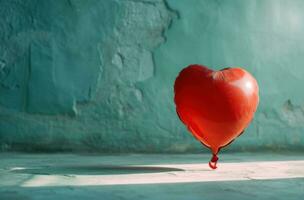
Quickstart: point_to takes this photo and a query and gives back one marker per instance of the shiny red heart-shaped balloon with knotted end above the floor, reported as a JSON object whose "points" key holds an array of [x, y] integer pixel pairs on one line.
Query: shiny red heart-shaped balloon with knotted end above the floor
{"points": [[216, 106]]}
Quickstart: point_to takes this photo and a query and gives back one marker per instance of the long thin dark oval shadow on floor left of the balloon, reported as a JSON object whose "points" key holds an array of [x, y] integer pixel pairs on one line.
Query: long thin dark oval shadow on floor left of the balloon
{"points": [[94, 170]]}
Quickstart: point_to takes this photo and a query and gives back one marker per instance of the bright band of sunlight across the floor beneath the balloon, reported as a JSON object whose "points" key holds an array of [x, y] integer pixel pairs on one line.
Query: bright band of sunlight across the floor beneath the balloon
{"points": [[261, 170]]}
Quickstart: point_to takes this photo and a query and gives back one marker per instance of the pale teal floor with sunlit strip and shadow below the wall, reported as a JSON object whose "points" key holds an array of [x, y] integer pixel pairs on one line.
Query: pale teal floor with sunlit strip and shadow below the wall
{"points": [[67, 176]]}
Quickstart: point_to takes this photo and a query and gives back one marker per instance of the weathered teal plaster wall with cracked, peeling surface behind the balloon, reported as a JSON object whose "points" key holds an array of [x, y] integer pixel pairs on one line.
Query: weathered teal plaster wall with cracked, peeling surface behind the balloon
{"points": [[91, 75]]}
